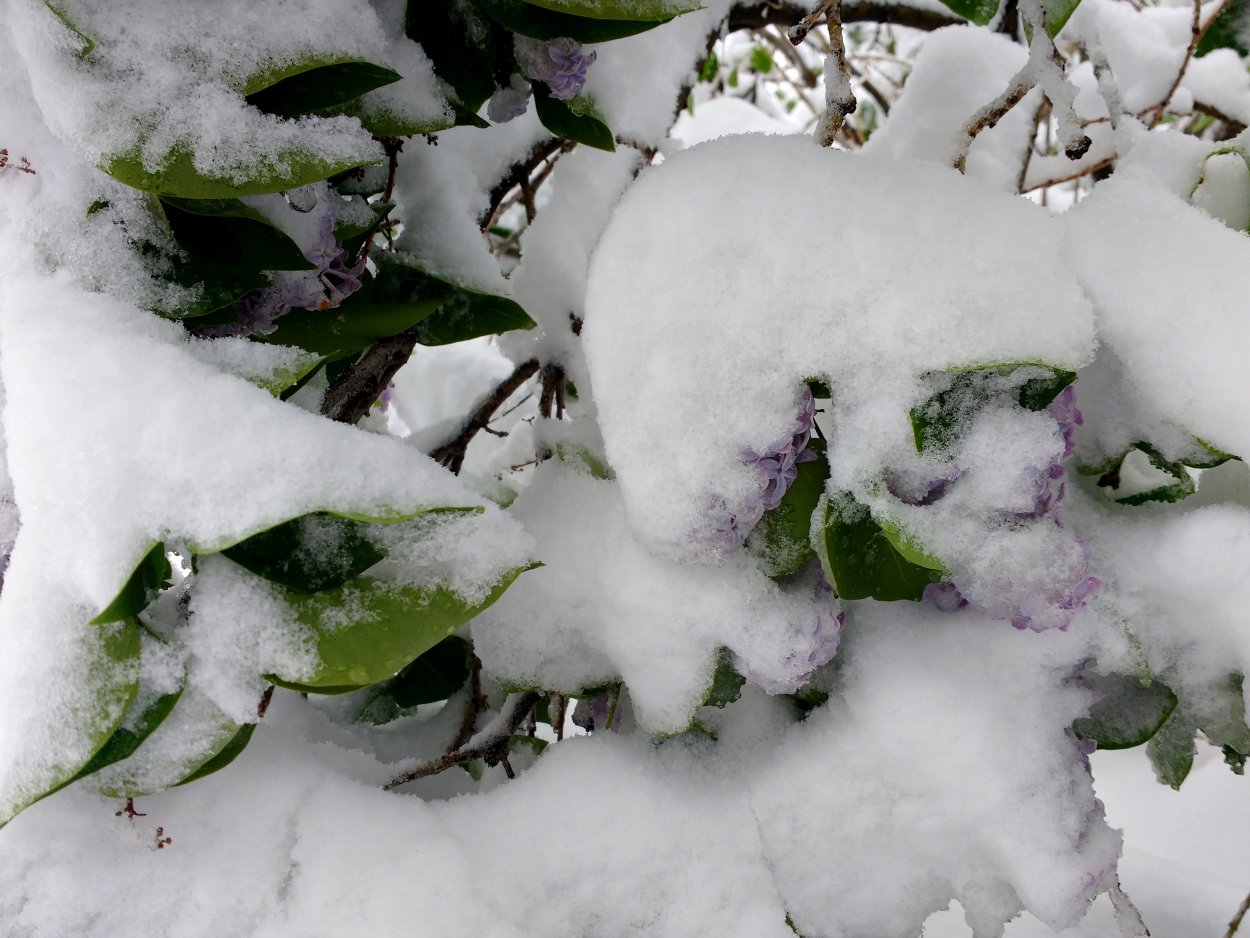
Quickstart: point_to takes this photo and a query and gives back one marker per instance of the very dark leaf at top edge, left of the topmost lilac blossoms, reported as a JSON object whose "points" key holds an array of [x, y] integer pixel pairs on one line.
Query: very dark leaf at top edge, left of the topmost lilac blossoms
{"points": [[461, 41]]}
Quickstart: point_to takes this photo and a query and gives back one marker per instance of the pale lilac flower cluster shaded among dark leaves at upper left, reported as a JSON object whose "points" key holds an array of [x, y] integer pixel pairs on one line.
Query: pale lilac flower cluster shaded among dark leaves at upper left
{"points": [[333, 282]]}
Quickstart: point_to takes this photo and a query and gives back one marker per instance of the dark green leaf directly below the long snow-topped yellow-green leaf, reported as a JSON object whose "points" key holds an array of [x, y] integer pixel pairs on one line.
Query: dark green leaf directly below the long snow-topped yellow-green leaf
{"points": [[229, 234]]}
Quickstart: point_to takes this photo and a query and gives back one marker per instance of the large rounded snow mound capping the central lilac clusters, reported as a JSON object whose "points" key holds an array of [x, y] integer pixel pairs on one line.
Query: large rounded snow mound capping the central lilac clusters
{"points": [[729, 303]]}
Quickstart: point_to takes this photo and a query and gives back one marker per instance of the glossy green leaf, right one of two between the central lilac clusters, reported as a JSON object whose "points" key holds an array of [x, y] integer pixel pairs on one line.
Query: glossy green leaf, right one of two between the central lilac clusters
{"points": [[861, 561]]}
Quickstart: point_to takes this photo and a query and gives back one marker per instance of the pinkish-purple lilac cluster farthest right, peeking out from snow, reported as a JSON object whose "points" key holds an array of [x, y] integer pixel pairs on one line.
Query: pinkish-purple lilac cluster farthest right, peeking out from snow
{"points": [[1058, 608]]}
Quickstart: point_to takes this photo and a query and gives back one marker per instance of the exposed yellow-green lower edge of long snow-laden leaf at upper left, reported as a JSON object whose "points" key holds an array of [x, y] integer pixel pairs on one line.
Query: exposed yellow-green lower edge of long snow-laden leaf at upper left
{"points": [[178, 176]]}
